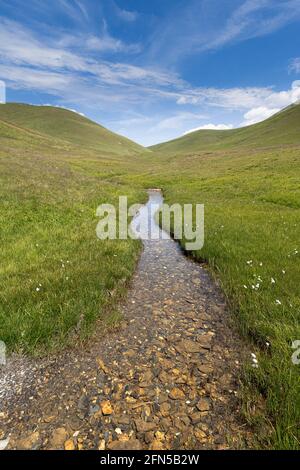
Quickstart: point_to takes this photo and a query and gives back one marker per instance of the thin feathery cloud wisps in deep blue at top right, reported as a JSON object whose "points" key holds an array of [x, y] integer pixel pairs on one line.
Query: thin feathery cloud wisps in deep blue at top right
{"points": [[211, 24]]}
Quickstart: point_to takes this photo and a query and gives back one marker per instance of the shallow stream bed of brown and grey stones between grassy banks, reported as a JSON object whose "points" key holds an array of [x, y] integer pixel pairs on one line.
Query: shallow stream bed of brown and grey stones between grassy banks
{"points": [[166, 379]]}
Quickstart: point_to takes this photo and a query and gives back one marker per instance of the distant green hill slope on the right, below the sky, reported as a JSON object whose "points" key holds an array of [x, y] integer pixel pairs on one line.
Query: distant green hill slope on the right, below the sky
{"points": [[281, 129]]}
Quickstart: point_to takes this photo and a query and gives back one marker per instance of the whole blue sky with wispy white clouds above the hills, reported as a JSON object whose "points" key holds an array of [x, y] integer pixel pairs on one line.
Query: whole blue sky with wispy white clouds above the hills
{"points": [[153, 70]]}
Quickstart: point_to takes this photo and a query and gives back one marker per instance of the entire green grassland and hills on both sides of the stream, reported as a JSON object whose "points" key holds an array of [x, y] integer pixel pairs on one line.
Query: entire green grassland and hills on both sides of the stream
{"points": [[57, 279]]}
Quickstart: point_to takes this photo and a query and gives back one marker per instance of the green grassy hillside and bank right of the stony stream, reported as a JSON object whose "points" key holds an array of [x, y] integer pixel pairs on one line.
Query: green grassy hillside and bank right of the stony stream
{"points": [[251, 195]]}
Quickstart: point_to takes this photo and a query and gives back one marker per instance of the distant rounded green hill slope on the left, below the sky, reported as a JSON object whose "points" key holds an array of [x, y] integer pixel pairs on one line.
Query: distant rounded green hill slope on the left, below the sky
{"points": [[66, 127]]}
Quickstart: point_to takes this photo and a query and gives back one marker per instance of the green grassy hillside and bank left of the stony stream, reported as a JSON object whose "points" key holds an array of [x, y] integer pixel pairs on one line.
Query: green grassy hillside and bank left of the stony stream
{"points": [[56, 277]]}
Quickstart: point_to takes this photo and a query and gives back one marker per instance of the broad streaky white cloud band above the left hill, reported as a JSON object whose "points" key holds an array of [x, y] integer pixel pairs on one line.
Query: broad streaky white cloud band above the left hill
{"points": [[52, 64]]}
